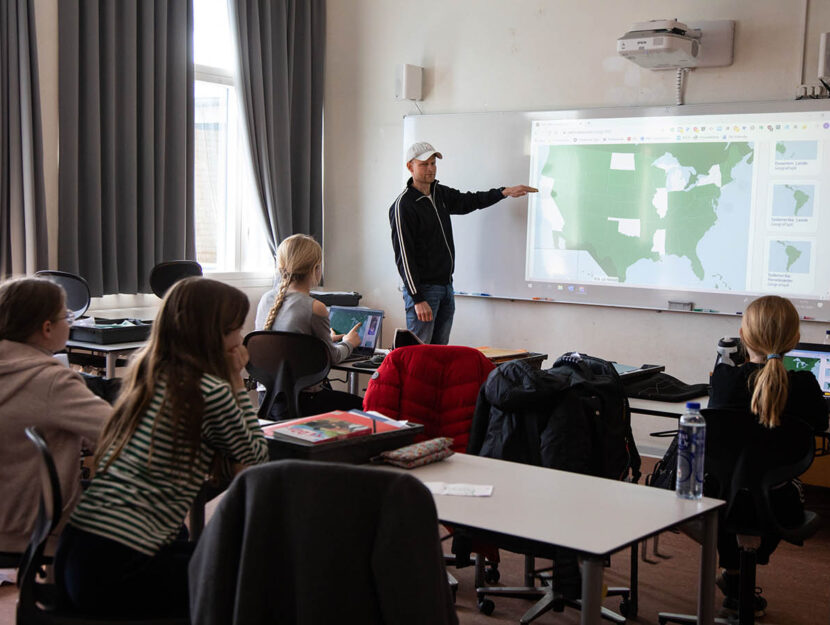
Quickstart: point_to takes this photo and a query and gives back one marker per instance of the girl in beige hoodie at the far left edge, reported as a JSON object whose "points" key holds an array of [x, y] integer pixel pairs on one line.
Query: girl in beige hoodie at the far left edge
{"points": [[37, 389]]}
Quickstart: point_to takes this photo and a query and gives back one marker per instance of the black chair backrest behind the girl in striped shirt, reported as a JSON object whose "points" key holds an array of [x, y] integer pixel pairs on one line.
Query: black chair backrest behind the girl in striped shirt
{"points": [[48, 517]]}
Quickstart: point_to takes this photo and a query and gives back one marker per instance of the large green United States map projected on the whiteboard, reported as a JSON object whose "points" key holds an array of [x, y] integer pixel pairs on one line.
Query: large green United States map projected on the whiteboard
{"points": [[646, 206]]}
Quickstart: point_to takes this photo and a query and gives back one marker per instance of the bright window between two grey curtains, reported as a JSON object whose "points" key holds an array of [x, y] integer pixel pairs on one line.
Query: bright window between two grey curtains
{"points": [[230, 233]]}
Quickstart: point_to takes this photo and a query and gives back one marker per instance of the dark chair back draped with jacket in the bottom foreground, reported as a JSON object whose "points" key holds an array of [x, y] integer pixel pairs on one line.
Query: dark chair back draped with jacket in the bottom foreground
{"points": [[374, 530]]}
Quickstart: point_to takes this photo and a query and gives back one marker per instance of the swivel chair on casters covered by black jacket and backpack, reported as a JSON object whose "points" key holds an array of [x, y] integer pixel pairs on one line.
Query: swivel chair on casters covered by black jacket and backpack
{"points": [[520, 418]]}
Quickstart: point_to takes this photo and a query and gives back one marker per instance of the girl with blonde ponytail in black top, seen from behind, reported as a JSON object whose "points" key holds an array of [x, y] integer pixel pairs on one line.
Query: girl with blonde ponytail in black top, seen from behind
{"points": [[769, 329]]}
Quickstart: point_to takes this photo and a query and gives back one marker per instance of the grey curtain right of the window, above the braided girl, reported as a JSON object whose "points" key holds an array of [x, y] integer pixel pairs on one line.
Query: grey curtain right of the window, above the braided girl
{"points": [[281, 58]]}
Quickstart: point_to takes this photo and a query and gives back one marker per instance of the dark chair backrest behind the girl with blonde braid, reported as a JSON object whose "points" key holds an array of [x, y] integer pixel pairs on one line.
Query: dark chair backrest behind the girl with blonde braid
{"points": [[285, 363]]}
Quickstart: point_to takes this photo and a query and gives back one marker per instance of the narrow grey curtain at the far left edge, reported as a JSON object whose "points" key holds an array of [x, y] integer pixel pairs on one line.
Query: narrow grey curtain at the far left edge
{"points": [[22, 206]]}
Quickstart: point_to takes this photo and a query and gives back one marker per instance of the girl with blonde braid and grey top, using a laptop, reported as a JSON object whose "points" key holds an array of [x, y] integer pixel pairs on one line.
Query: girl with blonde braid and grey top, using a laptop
{"points": [[290, 308]]}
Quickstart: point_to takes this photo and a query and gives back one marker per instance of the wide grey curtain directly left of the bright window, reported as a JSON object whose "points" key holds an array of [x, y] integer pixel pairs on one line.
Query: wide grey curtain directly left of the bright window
{"points": [[126, 139]]}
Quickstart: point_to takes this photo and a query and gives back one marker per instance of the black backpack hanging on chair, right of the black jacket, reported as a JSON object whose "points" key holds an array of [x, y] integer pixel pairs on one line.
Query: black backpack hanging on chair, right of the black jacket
{"points": [[595, 396]]}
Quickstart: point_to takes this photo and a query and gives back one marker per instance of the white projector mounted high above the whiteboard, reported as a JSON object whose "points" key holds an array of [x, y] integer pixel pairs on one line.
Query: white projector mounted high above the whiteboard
{"points": [[661, 44]]}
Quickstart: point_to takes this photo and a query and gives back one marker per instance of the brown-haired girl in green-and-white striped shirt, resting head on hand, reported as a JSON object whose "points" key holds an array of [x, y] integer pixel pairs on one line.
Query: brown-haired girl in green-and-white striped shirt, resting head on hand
{"points": [[183, 405]]}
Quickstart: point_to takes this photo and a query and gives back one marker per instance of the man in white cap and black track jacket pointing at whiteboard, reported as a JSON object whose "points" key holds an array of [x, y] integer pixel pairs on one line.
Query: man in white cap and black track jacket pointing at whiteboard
{"points": [[423, 242]]}
